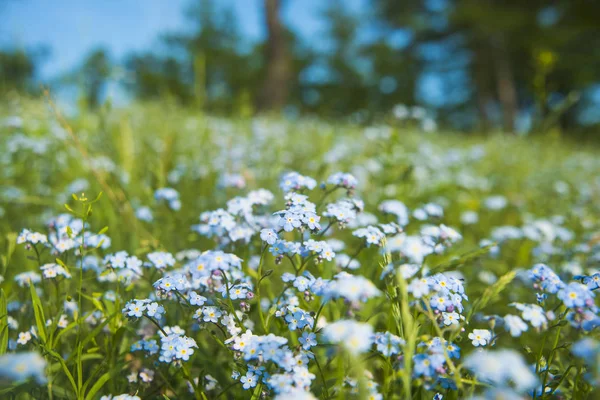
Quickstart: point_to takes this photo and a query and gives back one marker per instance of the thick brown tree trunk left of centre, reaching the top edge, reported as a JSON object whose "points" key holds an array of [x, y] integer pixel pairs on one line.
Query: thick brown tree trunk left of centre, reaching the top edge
{"points": [[276, 85]]}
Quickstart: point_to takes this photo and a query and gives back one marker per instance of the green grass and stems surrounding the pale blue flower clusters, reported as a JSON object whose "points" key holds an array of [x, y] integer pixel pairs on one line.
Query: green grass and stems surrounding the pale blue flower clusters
{"points": [[127, 154]]}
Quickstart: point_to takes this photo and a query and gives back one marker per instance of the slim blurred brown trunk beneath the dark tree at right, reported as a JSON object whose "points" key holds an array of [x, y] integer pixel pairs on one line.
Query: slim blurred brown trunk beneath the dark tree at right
{"points": [[507, 92]]}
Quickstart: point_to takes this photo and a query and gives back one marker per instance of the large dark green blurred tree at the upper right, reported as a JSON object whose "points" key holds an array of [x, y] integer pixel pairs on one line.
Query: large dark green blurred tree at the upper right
{"points": [[506, 43]]}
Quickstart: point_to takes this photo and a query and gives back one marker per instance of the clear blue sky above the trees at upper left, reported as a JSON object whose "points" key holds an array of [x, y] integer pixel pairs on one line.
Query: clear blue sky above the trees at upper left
{"points": [[71, 28]]}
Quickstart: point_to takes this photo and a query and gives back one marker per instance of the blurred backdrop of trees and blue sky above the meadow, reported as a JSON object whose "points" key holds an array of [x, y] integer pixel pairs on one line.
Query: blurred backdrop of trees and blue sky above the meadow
{"points": [[473, 65]]}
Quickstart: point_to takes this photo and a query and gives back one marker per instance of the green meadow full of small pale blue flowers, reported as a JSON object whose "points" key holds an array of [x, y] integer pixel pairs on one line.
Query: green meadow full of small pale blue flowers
{"points": [[153, 252]]}
